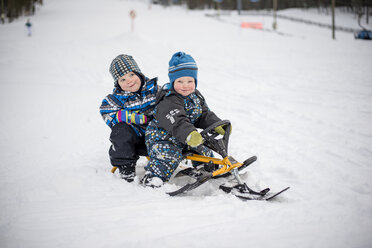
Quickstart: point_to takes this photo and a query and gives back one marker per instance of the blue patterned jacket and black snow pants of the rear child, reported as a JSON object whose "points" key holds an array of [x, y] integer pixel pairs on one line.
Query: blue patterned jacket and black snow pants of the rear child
{"points": [[124, 112]]}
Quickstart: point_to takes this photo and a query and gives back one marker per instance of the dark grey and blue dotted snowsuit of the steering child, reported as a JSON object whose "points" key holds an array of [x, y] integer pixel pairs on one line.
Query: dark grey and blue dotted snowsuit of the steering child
{"points": [[175, 118]]}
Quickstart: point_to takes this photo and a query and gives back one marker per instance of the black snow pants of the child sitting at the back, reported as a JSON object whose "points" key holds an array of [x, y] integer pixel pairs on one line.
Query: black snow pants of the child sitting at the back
{"points": [[126, 146]]}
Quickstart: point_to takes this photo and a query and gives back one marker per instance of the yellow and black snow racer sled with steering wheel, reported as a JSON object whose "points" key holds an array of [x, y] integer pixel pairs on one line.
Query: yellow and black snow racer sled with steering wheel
{"points": [[225, 167]]}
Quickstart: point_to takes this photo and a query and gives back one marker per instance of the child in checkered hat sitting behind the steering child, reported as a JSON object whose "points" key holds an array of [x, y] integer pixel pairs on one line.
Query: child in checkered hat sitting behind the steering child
{"points": [[127, 112]]}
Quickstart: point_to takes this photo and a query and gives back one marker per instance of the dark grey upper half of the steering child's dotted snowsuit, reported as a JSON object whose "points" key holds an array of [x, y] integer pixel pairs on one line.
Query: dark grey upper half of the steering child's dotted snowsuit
{"points": [[177, 116]]}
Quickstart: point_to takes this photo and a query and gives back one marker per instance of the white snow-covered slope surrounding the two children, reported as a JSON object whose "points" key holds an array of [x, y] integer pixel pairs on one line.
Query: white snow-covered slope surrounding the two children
{"points": [[301, 102]]}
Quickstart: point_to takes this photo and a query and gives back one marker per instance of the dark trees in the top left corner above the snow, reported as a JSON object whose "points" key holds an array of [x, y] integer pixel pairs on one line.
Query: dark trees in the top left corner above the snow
{"points": [[12, 9]]}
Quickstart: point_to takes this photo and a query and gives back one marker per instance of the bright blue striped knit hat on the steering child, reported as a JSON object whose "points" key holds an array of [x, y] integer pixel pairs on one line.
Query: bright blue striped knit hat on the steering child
{"points": [[182, 65]]}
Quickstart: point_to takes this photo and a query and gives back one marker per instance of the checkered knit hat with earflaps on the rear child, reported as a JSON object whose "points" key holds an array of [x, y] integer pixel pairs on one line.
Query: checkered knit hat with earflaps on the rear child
{"points": [[123, 64]]}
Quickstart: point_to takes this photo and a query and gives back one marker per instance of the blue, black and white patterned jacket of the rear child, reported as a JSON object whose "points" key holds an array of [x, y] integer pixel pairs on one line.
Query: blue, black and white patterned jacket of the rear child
{"points": [[134, 108]]}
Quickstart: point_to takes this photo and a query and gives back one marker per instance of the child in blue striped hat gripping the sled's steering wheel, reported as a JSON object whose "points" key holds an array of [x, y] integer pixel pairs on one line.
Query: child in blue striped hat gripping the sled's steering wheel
{"points": [[180, 110]]}
